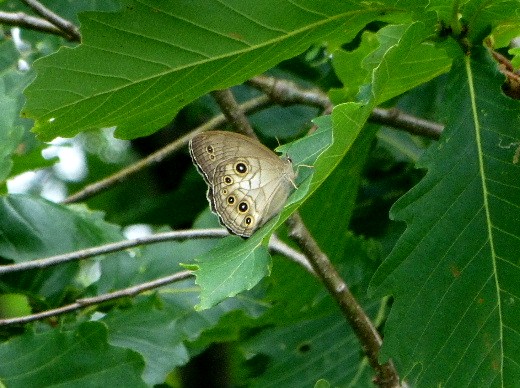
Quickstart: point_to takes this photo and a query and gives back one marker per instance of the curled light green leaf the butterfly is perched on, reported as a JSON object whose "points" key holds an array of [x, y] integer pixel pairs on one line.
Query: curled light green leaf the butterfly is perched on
{"points": [[348, 121]]}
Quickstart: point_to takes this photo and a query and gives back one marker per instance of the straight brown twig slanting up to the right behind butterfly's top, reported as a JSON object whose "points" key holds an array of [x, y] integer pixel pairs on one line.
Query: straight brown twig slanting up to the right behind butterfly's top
{"points": [[250, 106]]}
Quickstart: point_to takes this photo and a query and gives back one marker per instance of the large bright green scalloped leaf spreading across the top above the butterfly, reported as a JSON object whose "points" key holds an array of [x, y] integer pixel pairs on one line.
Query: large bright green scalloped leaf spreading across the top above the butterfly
{"points": [[138, 67]]}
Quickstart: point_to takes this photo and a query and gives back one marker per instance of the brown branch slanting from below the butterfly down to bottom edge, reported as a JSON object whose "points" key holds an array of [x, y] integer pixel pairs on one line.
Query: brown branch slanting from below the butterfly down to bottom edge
{"points": [[363, 328]]}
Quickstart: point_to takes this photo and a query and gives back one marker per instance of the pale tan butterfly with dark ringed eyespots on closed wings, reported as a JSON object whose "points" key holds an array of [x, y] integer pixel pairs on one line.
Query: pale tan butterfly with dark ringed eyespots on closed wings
{"points": [[248, 183]]}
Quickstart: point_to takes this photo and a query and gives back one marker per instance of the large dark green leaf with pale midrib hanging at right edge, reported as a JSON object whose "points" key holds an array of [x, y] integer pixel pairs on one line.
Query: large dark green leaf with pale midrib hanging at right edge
{"points": [[454, 273]]}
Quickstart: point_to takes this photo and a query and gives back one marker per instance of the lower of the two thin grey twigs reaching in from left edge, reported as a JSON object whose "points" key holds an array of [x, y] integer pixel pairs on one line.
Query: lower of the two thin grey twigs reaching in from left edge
{"points": [[85, 302]]}
